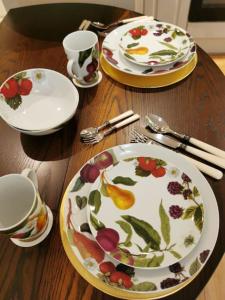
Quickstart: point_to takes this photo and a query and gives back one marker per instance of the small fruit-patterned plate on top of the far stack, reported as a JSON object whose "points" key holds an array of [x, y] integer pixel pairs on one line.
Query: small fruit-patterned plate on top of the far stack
{"points": [[154, 43]]}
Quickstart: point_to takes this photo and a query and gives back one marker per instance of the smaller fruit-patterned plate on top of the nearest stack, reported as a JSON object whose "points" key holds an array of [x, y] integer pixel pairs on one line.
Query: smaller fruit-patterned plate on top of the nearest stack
{"points": [[145, 211]]}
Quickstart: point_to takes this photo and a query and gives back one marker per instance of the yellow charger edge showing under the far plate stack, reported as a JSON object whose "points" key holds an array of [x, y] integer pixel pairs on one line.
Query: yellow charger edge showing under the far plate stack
{"points": [[149, 81]]}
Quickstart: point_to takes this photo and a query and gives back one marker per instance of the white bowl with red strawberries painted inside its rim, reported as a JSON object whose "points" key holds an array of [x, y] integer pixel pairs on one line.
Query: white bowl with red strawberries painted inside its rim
{"points": [[38, 101]]}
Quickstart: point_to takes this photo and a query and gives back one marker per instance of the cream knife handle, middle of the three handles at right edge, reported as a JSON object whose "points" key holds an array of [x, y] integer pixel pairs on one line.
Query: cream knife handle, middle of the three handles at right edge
{"points": [[206, 156]]}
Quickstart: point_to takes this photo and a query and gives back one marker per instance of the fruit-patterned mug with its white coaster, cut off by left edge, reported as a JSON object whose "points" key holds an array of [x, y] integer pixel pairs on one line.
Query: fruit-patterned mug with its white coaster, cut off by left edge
{"points": [[24, 217]]}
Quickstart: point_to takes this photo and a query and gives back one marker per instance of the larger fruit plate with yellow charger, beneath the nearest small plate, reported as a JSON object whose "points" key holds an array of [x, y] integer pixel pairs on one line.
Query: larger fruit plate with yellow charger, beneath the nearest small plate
{"points": [[103, 271]]}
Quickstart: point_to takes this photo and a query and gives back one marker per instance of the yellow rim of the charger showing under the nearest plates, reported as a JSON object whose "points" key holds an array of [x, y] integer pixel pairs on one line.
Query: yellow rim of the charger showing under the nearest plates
{"points": [[123, 294]]}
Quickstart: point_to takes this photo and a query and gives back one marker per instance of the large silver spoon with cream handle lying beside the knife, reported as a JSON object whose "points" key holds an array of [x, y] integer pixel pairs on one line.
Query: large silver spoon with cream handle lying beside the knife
{"points": [[158, 124]]}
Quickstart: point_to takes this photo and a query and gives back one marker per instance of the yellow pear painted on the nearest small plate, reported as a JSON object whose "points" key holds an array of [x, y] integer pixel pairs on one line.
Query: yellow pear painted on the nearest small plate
{"points": [[123, 199]]}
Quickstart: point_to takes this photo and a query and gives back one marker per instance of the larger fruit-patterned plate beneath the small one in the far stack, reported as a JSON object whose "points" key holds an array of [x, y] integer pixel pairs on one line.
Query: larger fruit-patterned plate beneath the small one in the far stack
{"points": [[113, 55]]}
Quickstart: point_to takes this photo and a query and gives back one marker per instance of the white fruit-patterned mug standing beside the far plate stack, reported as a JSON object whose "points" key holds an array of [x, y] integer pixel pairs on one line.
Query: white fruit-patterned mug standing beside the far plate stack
{"points": [[82, 50]]}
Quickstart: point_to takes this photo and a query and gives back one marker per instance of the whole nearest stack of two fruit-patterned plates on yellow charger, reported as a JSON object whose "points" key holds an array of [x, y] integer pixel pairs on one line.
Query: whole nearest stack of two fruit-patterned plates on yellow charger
{"points": [[138, 221]]}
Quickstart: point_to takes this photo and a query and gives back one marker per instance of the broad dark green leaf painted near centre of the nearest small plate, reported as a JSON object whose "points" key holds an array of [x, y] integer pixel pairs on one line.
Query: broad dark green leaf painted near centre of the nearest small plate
{"points": [[145, 231]]}
